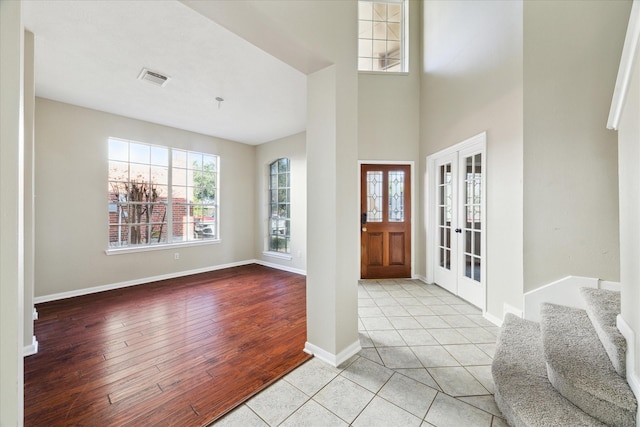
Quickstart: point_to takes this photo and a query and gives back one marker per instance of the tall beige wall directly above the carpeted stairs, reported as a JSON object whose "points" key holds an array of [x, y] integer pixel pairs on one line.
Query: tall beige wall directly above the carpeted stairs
{"points": [[572, 50]]}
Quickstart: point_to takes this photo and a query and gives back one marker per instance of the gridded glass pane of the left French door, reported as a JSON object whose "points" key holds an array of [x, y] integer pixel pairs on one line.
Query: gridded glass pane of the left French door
{"points": [[445, 213]]}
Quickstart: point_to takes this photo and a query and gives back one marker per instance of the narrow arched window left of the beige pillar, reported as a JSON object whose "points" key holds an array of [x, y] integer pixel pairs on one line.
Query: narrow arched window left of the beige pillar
{"points": [[280, 206]]}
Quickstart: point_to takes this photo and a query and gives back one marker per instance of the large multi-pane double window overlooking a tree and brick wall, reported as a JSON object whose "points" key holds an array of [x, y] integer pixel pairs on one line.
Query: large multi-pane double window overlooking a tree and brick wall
{"points": [[160, 195]]}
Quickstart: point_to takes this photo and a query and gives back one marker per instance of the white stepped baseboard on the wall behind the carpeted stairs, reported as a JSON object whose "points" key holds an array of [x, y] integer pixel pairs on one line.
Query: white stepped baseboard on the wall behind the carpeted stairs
{"points": [[565, 291]]}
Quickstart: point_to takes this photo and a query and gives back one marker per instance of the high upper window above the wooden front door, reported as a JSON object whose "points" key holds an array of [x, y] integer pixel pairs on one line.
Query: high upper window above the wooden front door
{"points": [[383, 36]]}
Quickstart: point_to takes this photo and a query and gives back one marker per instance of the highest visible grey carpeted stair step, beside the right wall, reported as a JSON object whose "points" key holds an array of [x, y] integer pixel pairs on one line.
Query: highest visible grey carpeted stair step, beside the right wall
{"points": [[603, 306]]}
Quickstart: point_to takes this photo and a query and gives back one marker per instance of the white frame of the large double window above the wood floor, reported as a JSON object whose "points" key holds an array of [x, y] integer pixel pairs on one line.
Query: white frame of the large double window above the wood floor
{"points": [[170, 243]]}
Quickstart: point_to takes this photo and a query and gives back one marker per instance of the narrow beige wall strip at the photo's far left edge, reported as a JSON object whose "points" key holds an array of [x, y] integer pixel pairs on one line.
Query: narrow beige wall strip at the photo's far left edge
{"points": [[11, 214]]}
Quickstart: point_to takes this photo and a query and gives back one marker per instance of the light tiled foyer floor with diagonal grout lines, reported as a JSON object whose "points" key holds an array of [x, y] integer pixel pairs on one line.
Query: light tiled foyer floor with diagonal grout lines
{"points": [[425, 361]]}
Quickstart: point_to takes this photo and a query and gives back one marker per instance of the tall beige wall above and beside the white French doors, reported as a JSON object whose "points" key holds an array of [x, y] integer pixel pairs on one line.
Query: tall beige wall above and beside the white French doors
{"points": [[472, 82]]}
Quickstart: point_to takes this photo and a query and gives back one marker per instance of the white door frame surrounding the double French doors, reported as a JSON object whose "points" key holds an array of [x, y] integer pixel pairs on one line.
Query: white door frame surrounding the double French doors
{"points": [[431, 209]]}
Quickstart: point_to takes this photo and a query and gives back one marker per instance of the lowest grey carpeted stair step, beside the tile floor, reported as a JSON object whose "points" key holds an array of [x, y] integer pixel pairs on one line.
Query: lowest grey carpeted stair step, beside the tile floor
{"points": [[522, 391]]}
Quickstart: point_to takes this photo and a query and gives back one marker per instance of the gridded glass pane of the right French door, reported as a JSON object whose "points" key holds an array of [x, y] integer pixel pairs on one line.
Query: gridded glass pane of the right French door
{"points": [[472, 221]]}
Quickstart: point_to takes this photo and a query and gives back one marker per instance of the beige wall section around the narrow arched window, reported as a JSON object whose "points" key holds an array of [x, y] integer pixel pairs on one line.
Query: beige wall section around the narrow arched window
{"points": [[294, 148]]}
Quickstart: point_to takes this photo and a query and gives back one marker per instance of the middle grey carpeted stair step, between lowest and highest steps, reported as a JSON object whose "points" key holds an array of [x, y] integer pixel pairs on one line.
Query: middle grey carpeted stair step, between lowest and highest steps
{"points": [[579, 367]]}
